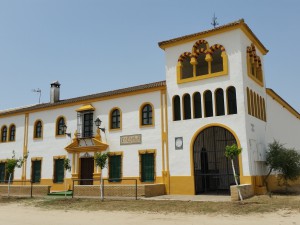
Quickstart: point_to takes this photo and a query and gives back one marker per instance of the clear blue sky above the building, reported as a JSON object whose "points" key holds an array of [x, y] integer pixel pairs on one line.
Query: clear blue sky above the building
{"points": [[93, 46]]}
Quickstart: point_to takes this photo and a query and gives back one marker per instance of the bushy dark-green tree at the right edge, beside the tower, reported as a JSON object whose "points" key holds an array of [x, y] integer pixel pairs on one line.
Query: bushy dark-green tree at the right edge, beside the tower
{"points": [[285, 161]]}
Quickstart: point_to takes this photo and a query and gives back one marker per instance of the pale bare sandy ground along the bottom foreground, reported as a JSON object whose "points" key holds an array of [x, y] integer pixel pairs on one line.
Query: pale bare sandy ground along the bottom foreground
{"points": [[14, 214]]}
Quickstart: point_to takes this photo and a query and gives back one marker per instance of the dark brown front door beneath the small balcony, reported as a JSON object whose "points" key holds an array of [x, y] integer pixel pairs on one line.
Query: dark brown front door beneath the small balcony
{"points": [[86, 171]]}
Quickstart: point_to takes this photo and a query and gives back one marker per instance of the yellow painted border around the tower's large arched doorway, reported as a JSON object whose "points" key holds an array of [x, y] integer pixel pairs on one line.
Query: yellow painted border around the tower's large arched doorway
{"points": [[192, 148]]}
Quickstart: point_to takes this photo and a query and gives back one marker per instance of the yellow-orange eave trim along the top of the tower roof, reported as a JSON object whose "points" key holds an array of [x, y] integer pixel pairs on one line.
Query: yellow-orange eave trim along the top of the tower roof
{"points": [[246, 30]]}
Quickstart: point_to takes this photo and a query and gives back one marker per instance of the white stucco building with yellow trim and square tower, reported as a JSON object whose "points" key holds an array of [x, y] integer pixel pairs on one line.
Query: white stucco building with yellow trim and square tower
{"points": [[172, 132]]}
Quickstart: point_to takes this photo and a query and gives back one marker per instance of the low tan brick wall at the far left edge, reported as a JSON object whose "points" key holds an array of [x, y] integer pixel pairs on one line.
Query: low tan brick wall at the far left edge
{"points": [[22, 188]]}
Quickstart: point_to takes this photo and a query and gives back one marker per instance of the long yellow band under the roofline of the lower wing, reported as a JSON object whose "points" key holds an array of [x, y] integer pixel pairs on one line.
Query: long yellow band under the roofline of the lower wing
{"points": [[96, 99]]}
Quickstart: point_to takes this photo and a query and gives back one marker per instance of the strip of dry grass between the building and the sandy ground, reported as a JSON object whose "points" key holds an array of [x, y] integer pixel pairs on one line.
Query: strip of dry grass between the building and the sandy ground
{"points": [[258, 204]]}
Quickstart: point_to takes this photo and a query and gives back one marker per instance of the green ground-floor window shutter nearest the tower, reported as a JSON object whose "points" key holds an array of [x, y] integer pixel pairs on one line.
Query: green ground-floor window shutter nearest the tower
{"points": [[147, 161]]}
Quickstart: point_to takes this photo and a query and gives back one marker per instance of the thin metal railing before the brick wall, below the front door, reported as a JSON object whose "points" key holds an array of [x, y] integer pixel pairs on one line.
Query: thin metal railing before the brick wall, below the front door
{"points": [[110, 187]]}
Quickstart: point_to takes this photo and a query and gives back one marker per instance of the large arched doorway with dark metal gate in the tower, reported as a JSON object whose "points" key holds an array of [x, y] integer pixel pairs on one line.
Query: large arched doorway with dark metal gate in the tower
{"points": [[212, 170]]}
